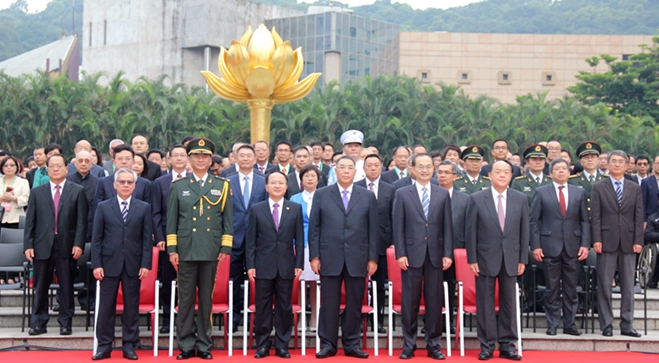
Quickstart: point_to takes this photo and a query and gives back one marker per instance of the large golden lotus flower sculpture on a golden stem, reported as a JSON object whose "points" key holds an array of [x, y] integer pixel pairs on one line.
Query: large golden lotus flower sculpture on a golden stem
{"points": [[261, 70]]}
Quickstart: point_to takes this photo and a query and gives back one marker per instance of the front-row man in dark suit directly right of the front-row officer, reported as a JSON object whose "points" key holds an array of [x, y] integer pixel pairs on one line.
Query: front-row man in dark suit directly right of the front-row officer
{"points": [[274, 250]]}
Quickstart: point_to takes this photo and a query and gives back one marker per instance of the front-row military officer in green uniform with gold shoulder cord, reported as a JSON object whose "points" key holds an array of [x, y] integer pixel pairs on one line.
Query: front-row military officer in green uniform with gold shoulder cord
{"points": [[199, 234]]}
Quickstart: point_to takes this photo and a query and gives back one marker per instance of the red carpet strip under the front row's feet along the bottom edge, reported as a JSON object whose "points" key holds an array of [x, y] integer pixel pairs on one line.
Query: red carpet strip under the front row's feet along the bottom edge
{"points": [[471, 356]]}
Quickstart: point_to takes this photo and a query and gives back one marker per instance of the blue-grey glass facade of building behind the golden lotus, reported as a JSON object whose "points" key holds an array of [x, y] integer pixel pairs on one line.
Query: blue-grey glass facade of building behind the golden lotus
{"points": [[367, 47]]}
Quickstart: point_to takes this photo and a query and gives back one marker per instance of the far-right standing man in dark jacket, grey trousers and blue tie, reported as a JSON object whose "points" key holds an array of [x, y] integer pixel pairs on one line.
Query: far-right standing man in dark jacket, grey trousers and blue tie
{"points": [[617, 229]]}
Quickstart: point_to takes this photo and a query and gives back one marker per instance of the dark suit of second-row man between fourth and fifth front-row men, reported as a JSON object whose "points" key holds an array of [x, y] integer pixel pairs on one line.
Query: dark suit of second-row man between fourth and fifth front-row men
{"points": [[385, 194]]}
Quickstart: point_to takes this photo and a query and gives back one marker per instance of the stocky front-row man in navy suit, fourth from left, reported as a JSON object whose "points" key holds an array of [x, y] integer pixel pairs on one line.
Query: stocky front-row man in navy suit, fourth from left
{"points": [[343, 248]]}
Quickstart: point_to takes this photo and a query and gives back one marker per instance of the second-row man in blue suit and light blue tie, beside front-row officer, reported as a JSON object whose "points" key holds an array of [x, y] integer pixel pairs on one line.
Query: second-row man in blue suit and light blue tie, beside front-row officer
{"points": [[248, 188]]}
